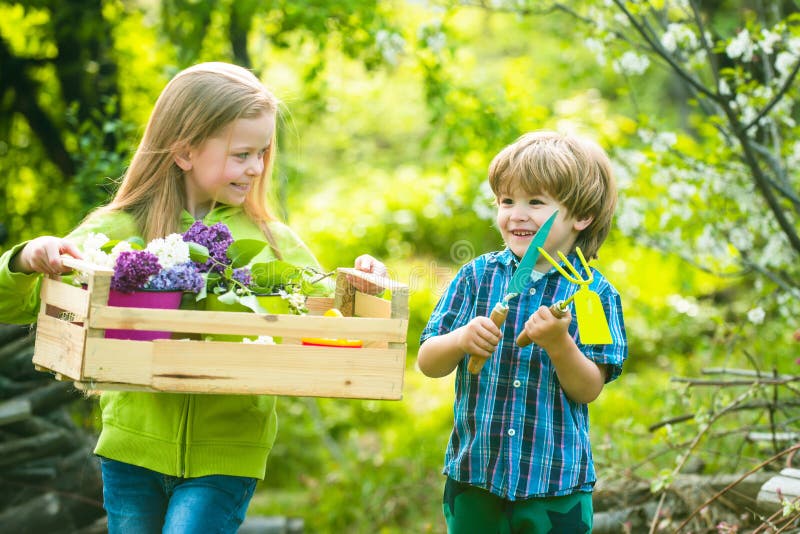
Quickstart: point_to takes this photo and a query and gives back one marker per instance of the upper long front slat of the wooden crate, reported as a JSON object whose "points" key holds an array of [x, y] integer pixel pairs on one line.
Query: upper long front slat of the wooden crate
{"points": [[242, 323]]}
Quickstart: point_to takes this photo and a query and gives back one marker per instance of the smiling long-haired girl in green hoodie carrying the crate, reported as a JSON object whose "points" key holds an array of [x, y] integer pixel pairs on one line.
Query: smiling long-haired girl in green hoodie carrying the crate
{"points": [[178, 462]]}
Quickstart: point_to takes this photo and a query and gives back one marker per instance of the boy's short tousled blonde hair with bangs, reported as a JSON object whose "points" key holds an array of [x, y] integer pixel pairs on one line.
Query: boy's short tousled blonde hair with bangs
{"points": [[574, 171]]}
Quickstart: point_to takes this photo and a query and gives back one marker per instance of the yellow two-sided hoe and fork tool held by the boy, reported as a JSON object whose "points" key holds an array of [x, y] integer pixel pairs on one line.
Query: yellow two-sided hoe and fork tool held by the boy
{"points": [[592, 323]]}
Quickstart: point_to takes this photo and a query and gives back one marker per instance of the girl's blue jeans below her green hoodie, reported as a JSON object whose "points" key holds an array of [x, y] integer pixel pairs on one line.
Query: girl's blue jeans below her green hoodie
{"points": [[141, 501]]}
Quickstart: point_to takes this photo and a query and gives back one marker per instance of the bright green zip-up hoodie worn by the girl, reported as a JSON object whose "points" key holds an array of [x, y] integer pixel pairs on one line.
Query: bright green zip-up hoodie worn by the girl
{"points": [[181, 435]]}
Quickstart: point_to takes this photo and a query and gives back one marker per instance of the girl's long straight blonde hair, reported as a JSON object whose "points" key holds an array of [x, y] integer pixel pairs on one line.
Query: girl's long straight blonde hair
{"points": [[197, 104]]}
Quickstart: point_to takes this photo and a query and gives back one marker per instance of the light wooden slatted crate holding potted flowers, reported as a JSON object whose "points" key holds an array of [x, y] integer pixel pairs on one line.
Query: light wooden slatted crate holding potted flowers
{"points": [[70, 342]]}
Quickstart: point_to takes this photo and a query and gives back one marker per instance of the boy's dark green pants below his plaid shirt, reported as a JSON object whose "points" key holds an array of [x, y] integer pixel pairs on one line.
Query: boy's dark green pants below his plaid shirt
{"points": [[471, 510]]}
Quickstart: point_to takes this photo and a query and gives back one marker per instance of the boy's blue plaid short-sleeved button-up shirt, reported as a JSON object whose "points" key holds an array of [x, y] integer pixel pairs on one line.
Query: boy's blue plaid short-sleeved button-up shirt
{"points": [[515, 432]]}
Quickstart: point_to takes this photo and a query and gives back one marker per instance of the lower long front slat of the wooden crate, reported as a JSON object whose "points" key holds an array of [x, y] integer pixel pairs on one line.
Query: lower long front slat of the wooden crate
{"points": [[199, 367]]}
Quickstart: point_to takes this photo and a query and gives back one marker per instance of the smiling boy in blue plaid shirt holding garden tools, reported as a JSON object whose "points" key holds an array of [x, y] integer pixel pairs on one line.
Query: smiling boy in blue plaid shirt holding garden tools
{"points": [[519, 458]]}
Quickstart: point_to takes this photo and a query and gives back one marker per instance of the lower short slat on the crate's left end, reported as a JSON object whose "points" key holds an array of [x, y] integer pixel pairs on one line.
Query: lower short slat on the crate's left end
{"points": [[59, 346]]}
